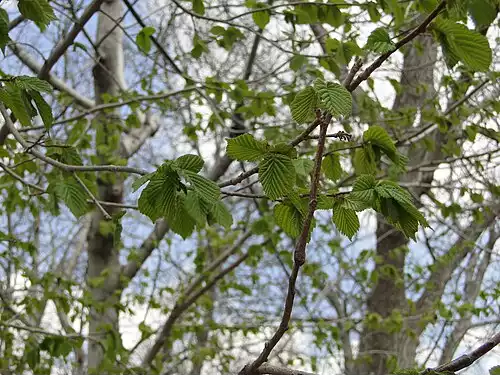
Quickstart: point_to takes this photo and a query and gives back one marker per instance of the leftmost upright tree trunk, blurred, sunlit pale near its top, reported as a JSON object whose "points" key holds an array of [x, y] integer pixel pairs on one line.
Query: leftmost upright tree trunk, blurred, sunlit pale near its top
{"points": [[103, 262]]}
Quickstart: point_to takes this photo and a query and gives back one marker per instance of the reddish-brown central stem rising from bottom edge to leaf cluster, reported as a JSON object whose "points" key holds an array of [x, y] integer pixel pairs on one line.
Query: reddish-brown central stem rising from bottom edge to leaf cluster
{"points": [[299, 254]]}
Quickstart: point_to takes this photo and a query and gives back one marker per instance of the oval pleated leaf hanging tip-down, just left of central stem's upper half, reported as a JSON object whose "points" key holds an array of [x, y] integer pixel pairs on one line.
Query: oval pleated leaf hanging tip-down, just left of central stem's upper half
{"points": [[277, 175]]}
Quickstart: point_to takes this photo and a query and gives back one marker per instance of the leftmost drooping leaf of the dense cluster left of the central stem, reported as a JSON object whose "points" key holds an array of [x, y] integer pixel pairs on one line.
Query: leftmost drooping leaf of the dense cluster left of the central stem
{"points": [[158, 199]]}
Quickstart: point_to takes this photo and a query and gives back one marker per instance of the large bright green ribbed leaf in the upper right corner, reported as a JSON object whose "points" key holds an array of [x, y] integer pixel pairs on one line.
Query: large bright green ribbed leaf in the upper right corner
{"points": [[467, 46]]}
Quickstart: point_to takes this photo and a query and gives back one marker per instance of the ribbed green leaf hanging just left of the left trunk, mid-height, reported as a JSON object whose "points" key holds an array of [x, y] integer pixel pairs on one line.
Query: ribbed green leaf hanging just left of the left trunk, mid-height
{"points": [[72, 194]]}
